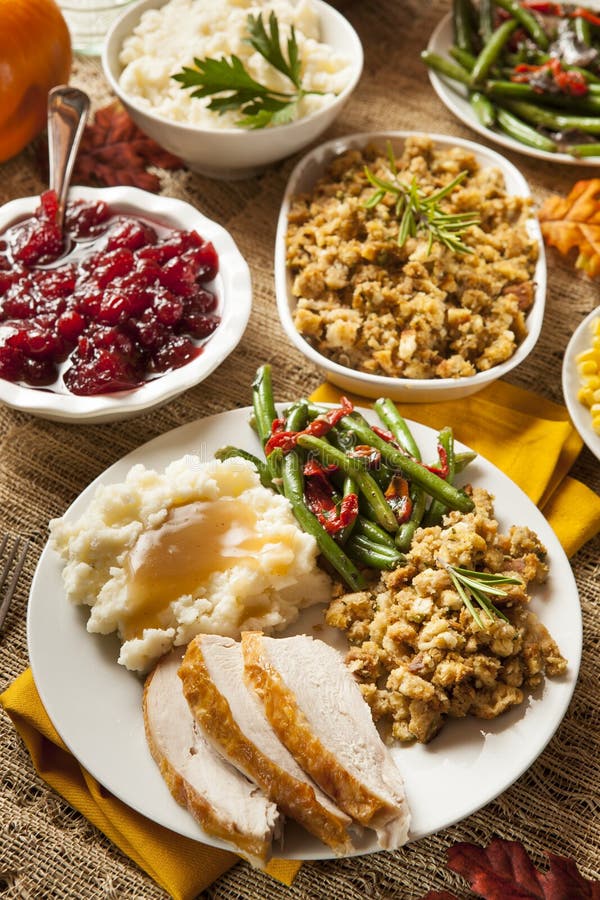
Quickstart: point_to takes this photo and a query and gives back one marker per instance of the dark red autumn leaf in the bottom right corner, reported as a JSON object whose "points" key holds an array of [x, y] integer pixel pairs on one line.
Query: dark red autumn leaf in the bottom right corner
{"points": [[503, 871]]}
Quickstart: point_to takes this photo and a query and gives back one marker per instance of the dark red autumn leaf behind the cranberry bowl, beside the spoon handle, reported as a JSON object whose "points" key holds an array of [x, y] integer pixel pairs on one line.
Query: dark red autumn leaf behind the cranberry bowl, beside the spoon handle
{"points": [[113, 151]]}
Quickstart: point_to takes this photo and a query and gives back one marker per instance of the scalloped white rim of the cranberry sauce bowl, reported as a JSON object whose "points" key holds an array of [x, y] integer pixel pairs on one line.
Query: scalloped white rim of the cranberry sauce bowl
{"points": [[233, 287]]}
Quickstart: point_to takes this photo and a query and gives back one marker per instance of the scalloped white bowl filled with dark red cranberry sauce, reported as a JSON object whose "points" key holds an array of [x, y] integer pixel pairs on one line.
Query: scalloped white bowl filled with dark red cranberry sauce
{"points": [[141, 299]]}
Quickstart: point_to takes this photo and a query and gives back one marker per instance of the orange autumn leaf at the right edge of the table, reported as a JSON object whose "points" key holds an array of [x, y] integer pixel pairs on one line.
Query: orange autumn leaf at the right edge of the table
{"points": [[573, 222]]}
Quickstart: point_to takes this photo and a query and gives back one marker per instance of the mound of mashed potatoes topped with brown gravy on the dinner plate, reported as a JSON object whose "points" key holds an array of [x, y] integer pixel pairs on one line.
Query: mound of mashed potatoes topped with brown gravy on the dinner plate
{"points": [[200, 547]]}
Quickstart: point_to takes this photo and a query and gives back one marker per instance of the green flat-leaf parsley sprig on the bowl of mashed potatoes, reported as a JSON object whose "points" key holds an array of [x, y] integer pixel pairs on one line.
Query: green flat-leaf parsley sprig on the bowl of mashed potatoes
{"points": [[259, 104]]}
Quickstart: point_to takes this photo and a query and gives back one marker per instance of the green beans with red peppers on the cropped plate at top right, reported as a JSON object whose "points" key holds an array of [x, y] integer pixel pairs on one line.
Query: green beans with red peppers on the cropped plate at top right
{"points": [[512, 63]]}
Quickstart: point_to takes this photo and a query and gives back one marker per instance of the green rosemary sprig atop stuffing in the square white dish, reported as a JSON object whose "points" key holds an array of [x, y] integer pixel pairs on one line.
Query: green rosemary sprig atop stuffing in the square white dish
{"points": [[418, 212]]}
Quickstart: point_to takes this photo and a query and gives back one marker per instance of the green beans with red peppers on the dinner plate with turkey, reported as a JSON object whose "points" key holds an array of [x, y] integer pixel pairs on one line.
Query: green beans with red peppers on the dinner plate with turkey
{"points": [[360, 493]]}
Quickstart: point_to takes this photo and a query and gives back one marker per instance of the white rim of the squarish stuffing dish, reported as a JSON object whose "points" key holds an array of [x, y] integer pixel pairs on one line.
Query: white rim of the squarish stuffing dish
{"points": [[311, 166]]}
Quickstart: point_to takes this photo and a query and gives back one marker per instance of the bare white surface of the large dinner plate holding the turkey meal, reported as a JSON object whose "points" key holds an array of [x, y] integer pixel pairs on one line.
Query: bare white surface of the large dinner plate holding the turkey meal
{"points": [[95, 704]]}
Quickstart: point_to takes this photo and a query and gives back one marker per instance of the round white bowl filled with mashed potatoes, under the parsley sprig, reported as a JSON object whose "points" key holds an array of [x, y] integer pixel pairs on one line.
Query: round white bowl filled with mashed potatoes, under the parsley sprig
{"points": [[154, 40]]}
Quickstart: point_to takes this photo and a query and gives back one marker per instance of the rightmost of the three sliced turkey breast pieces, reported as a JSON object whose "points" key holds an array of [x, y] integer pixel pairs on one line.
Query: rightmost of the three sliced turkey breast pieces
{"points": [[315, 706]]}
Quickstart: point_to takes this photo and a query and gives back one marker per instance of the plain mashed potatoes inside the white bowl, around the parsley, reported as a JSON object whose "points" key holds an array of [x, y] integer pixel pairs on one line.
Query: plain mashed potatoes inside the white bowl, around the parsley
{"points": [[168, 38]]}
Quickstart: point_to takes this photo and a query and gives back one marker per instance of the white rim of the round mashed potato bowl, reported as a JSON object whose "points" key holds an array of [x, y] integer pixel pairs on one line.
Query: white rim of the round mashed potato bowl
{"points": [[341, 22]]}
